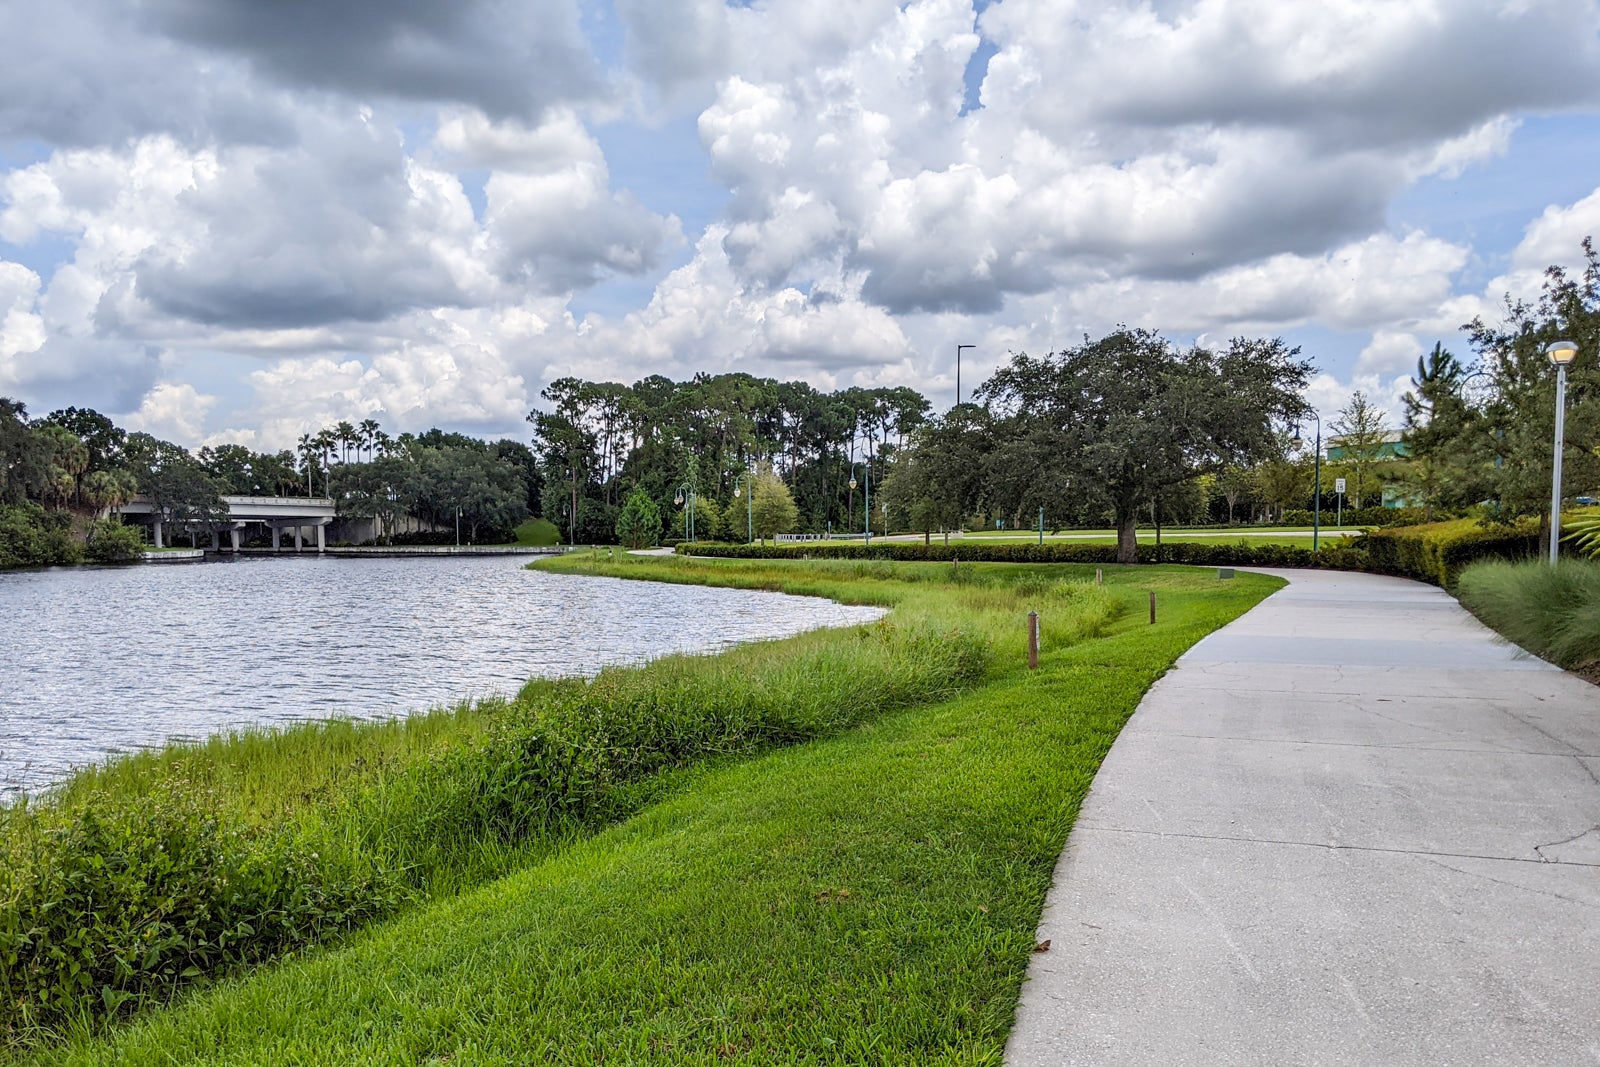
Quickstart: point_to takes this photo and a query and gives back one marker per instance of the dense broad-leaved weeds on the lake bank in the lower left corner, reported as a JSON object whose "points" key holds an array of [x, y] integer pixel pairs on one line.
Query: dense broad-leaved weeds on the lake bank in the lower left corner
{"points": [[106, 906]]}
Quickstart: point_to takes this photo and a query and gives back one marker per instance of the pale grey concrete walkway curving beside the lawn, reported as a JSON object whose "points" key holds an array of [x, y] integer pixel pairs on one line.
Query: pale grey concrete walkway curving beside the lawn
{"points": [[1353, 828]]}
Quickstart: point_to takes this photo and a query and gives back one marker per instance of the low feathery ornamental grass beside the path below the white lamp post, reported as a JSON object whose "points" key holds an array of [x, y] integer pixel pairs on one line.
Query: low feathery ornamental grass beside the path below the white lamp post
{"points": [[1553, 612]]}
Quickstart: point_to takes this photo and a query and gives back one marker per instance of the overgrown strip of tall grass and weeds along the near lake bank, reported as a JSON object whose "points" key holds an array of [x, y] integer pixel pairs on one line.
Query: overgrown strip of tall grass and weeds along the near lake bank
{"points": [[114, 898]]}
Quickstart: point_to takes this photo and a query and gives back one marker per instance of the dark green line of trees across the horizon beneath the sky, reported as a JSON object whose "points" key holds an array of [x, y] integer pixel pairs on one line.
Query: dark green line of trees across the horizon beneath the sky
{"points": [[1118, 431]]}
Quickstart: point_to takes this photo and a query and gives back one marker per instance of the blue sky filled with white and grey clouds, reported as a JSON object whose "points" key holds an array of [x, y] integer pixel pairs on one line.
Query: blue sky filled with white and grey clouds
{"points": [[230, 220]]}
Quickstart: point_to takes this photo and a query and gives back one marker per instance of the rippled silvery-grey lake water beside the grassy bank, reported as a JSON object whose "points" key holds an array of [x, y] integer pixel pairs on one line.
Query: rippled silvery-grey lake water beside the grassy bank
{"points": [[108, 660]]}
